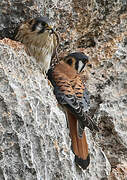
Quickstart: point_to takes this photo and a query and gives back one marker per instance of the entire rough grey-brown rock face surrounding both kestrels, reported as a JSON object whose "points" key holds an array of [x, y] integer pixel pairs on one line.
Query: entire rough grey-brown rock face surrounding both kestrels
{"points": [[38, 146]]}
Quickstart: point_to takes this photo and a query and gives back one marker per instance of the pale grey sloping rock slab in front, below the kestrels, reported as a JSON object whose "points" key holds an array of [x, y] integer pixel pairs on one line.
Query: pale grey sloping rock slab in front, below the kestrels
{"points": [[35, 141]]}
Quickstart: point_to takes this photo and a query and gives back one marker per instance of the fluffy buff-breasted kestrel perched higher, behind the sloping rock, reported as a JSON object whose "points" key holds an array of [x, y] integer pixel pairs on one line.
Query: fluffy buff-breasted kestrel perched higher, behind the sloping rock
{"points": [[40, 40]]}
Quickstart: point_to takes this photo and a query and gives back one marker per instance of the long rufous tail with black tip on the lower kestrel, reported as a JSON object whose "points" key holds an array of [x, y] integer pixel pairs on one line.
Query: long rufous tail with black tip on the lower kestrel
{"points": [[79, 144]]}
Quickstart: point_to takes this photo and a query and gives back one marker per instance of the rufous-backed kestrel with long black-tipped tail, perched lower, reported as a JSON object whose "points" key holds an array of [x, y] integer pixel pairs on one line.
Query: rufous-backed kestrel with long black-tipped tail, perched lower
{"points": [[72, 95]]}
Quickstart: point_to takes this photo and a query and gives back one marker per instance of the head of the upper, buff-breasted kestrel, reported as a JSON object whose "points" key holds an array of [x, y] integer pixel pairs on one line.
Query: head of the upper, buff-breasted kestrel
{"points": [[41, 25]]}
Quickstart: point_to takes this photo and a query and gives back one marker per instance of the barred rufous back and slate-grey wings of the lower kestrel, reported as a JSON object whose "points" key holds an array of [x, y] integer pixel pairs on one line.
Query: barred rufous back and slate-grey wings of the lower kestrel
{"points": [[73, 95]]}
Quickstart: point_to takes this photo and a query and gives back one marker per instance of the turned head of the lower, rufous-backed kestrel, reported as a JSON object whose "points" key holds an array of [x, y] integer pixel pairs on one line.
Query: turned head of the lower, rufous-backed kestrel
{"points": [[77, 60]]}
